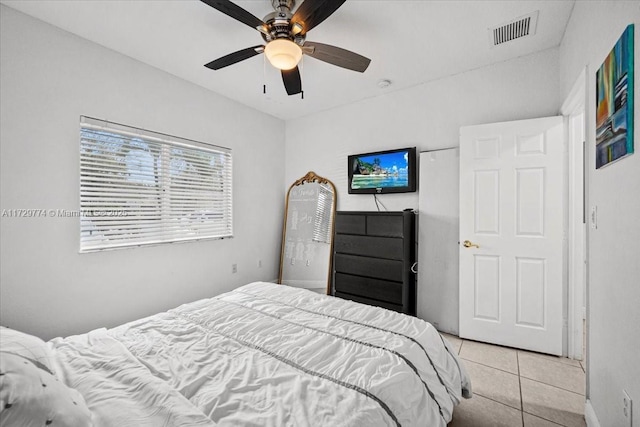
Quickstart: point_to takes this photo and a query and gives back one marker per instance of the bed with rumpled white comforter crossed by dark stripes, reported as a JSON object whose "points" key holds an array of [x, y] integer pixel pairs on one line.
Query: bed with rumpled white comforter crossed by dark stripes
{"points": [[260, 355]]}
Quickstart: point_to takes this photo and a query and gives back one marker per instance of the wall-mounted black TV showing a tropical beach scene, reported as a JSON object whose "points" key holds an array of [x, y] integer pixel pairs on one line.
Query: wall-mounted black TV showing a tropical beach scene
{"points": [[392, 171]]}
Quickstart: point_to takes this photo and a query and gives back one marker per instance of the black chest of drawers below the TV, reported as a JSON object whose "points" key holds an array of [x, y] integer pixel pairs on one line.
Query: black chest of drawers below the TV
{"points": [[374, 255]]}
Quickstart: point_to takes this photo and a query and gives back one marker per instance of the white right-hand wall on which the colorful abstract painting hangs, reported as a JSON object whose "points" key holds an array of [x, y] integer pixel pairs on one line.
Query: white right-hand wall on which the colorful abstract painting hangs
{"points": [[613, 341]]}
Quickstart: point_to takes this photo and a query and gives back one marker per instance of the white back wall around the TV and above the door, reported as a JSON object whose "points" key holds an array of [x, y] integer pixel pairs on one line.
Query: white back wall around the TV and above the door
{"points": [[427, 116]]}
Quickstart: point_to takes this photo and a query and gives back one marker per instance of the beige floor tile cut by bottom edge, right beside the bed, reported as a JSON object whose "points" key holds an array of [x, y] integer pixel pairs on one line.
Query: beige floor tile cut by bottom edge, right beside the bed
{"points": [[481, 412]]}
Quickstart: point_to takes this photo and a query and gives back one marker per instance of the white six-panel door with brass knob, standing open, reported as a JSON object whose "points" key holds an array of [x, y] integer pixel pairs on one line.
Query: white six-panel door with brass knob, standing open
{"points": [[511, 207]]}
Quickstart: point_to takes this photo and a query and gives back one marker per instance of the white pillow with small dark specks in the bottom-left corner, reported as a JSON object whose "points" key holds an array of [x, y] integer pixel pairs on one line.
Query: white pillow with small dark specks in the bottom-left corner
{"points": [[30, 396]]}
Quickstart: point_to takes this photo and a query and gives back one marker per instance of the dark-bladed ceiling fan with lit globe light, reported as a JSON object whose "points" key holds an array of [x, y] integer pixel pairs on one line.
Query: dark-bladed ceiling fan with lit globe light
{"points": [[285, 35]]}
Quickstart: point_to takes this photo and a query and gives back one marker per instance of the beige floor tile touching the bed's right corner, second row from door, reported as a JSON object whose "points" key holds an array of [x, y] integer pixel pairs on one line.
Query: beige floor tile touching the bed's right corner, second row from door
{"points": [[494, 384]]}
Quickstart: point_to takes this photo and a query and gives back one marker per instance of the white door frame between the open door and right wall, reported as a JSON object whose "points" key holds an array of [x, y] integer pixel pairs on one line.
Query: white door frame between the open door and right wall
{"points": [[573, 108]]}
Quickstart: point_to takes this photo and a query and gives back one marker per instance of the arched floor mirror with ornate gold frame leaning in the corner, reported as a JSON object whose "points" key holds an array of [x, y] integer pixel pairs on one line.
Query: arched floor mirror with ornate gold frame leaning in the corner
{"points": [[307, 237]]}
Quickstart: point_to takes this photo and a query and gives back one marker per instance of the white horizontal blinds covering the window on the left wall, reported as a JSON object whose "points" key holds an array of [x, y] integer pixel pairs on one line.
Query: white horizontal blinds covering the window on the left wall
{"points": [[139, 187]]}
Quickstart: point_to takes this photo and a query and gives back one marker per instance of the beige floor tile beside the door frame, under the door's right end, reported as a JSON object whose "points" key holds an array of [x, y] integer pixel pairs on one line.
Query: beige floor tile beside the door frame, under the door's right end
{"points": [[548, 371]]}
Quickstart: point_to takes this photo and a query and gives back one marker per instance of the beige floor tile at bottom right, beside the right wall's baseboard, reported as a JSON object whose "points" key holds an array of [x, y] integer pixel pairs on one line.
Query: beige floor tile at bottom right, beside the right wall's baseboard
{"points": [[551, 403]]}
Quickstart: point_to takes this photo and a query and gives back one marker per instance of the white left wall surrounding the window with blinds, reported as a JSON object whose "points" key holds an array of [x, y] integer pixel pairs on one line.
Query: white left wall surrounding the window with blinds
{"points": [[48, 79]]}
